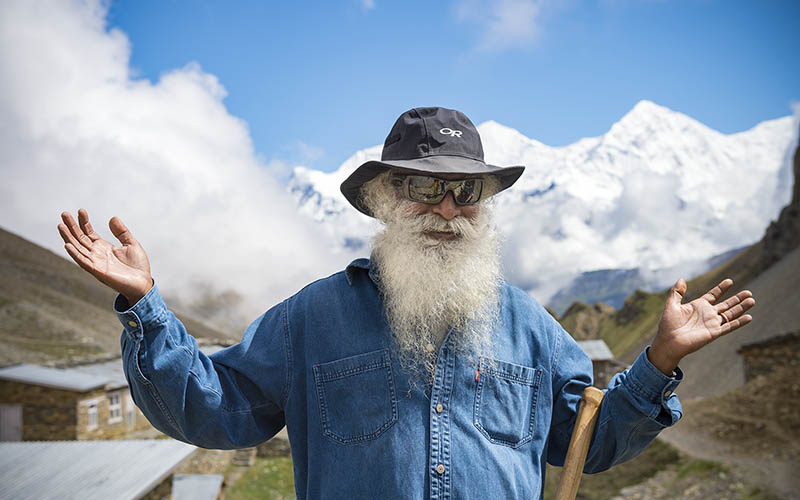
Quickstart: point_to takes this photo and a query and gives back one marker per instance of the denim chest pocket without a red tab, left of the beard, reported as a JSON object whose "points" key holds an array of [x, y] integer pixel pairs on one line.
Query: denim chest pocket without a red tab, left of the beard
{"points": [[356, 397]]}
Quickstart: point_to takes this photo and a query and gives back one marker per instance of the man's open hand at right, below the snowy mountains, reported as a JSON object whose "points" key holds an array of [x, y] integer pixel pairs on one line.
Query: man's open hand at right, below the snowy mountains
{"points": [[685, 328]]}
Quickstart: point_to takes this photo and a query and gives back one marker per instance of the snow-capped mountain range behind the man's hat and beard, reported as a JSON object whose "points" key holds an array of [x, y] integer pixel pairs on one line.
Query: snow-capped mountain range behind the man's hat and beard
{"points": [[658, 190]]}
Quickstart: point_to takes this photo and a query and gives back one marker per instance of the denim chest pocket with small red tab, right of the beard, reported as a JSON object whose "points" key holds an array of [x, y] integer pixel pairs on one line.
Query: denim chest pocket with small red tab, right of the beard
{"points": [[505, 402]]}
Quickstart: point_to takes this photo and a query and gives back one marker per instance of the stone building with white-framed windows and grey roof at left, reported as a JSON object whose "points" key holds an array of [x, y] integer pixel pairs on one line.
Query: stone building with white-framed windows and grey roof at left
{"points": [[38, 403]]}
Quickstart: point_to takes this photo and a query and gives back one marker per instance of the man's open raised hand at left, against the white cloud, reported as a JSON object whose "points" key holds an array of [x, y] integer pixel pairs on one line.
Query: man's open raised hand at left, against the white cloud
{"points": [[124, 268]]}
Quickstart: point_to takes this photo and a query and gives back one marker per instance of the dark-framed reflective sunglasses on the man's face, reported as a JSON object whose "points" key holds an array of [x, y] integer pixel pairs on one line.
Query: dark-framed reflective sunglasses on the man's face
{"points": [[432, 190]]}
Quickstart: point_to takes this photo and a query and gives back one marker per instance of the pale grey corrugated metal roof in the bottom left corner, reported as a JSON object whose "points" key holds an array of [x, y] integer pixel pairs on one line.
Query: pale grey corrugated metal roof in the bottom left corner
{"points": [[100, 470]]}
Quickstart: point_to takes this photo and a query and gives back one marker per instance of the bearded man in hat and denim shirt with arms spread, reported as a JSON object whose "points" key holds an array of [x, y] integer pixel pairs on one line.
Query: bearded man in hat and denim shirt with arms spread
{"points": [[419, 373]]}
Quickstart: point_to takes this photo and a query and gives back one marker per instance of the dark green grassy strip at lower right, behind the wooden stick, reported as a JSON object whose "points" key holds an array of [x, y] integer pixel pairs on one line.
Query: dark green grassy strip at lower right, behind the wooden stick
{"points": [[607, 484]]}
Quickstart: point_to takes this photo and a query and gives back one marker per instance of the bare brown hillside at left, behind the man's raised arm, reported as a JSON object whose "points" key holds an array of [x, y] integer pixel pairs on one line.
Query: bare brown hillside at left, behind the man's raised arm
{"points": [[50, 309]]}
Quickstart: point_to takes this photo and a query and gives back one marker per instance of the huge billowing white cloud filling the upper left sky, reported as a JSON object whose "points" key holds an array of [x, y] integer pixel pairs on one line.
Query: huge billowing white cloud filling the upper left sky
{"points": [[76, 130]]}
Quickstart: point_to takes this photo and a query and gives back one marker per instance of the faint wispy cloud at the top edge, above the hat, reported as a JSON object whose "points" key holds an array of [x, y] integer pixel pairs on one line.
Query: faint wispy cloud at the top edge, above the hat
{"points": [[503, 24]]}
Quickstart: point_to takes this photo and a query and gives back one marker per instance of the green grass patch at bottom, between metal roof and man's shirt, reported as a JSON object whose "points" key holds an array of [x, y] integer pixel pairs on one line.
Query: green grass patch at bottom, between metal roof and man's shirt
{"points": [[268, 478]]}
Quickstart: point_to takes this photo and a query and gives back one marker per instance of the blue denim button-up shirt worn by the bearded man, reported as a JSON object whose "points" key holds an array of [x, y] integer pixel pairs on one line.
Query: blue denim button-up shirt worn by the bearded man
{"points": [[321, 363]]}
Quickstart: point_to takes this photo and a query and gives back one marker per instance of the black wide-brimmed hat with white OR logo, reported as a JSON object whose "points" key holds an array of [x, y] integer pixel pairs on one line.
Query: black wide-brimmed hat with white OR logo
{"points": [[431, 141]]}
